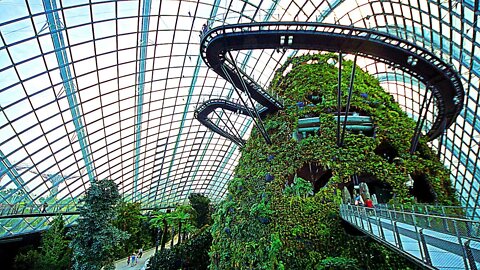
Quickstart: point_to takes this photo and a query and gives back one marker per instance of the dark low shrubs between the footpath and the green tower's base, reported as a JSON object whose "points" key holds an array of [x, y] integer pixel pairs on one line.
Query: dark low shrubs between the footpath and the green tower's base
{"points": [[192, 254]]}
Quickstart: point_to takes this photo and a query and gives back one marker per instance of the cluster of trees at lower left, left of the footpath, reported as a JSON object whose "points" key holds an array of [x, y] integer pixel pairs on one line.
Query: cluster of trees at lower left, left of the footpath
{"points": [[107, 229]]}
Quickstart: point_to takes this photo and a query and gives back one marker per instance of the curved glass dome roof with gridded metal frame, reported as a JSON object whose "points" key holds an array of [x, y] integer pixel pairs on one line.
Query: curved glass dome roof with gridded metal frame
{"points": [[107, 89]]}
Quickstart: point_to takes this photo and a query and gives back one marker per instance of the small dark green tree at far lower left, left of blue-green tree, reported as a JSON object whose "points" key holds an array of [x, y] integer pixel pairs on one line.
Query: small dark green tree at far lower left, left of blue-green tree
{"points": [[53, 253]]}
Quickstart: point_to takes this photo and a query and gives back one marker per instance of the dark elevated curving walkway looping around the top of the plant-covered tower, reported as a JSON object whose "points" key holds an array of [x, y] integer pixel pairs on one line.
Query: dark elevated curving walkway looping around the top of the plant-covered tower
{"points": [[437, 75]]}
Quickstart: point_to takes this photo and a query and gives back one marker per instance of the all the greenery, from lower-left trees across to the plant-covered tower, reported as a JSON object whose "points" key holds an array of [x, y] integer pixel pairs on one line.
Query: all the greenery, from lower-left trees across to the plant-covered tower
{"points": [[282, 206]]}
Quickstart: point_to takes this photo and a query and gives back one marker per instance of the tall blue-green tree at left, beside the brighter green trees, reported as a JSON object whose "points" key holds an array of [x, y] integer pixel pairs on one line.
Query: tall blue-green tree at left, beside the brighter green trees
{"points": [[95, 236]]}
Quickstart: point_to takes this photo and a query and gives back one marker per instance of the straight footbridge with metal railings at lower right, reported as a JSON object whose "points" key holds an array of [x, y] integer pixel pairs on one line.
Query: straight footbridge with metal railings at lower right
{"points": [[433, 241]]}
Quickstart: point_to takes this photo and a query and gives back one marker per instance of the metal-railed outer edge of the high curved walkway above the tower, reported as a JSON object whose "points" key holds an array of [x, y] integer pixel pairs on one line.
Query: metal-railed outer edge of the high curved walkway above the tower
{"points": [[442, 78]]}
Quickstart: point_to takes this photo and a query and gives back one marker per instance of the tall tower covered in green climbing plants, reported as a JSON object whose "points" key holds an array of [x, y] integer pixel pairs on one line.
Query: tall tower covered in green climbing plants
{"points": [[277, 221]]}
